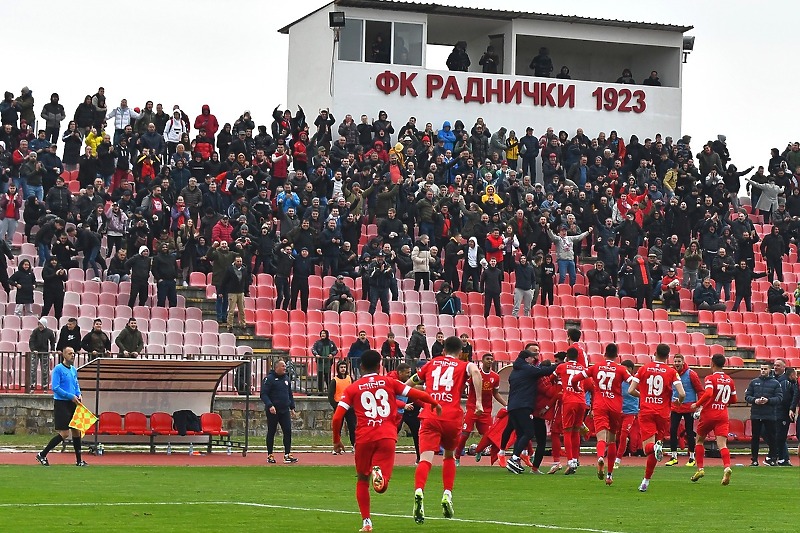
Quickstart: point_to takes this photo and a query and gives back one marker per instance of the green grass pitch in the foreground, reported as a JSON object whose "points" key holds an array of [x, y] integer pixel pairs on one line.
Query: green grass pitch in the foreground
{"points": [[321, 499]]}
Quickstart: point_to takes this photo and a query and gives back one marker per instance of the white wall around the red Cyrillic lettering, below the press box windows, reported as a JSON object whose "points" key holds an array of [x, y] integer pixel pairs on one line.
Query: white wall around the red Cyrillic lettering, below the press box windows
{"points": [[357, 93]]}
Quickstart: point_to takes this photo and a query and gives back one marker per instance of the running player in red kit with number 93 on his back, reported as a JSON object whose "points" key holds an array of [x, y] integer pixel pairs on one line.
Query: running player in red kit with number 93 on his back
{"points": [[373, 398]]}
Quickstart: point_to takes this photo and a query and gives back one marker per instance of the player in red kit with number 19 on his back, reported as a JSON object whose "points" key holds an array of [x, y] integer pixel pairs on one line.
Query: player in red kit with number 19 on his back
{"points": [[657, 379]]}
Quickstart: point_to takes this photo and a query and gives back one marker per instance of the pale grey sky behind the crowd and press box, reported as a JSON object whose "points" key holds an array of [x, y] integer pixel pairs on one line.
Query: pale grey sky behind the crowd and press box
{"points": [[738, 81]]}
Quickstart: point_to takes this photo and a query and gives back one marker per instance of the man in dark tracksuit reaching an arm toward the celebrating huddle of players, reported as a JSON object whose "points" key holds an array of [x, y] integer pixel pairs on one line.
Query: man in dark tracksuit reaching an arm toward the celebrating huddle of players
{"points": [[522, 385]]}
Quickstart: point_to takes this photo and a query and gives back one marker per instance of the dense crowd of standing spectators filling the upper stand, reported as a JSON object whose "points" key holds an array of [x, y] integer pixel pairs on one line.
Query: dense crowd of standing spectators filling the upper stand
{"points": [[160, 196]]}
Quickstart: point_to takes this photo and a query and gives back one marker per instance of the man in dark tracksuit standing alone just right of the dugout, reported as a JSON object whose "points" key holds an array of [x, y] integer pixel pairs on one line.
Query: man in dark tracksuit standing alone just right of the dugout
{"points": [[276, 393]]}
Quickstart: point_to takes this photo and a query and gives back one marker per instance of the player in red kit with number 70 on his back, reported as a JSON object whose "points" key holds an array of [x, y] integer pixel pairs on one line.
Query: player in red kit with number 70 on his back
{"points": [[713, 404]]}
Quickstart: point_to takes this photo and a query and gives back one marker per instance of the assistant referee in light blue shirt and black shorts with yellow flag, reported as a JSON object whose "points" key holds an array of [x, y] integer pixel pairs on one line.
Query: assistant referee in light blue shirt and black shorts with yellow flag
{"points": [[66, 397]]}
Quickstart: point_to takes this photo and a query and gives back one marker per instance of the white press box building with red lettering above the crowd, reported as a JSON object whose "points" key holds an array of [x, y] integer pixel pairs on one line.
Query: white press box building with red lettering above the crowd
{"points": [[332, 66]]}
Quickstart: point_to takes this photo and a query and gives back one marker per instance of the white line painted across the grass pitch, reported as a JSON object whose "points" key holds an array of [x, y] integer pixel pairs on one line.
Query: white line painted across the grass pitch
{"points": [[308, 509]]}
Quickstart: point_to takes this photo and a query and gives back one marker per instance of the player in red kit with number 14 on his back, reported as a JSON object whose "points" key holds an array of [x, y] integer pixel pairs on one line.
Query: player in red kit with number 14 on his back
{"points": [[444, 378]]}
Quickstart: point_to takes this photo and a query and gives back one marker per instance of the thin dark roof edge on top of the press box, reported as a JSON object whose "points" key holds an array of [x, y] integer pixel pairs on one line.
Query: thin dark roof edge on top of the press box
{"points": [[436, 9]]}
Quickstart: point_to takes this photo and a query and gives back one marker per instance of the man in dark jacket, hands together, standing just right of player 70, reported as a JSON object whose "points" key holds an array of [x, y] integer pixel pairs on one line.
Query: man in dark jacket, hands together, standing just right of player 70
{"points": [[764, 396]]}
